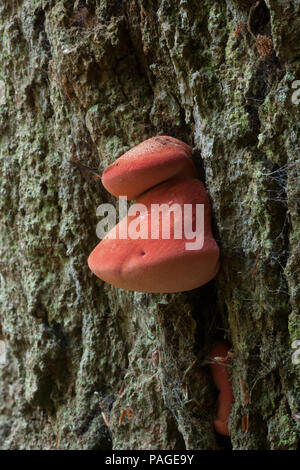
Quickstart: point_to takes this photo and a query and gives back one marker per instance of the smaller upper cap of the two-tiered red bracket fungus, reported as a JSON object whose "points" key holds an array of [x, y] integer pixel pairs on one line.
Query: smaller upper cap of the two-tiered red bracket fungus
{"points": [[153, 161]]}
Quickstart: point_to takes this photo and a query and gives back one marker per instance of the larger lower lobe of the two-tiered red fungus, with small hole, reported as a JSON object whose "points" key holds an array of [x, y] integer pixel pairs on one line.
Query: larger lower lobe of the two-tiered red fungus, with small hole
{"points": [[158, 265]]}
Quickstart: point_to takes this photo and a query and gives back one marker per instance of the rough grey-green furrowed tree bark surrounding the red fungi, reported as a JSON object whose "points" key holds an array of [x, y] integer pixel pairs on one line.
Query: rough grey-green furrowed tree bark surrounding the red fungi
{"points": [[90, 79]]}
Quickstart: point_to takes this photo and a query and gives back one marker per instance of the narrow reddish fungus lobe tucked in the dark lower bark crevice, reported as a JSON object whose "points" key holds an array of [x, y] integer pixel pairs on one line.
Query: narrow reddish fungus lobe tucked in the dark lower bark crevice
{"points": [[220, 374]]}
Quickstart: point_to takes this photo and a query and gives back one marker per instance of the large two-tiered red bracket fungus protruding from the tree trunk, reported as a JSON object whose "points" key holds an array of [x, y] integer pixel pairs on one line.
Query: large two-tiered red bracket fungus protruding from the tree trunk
{"points": [[157, 171]]}
